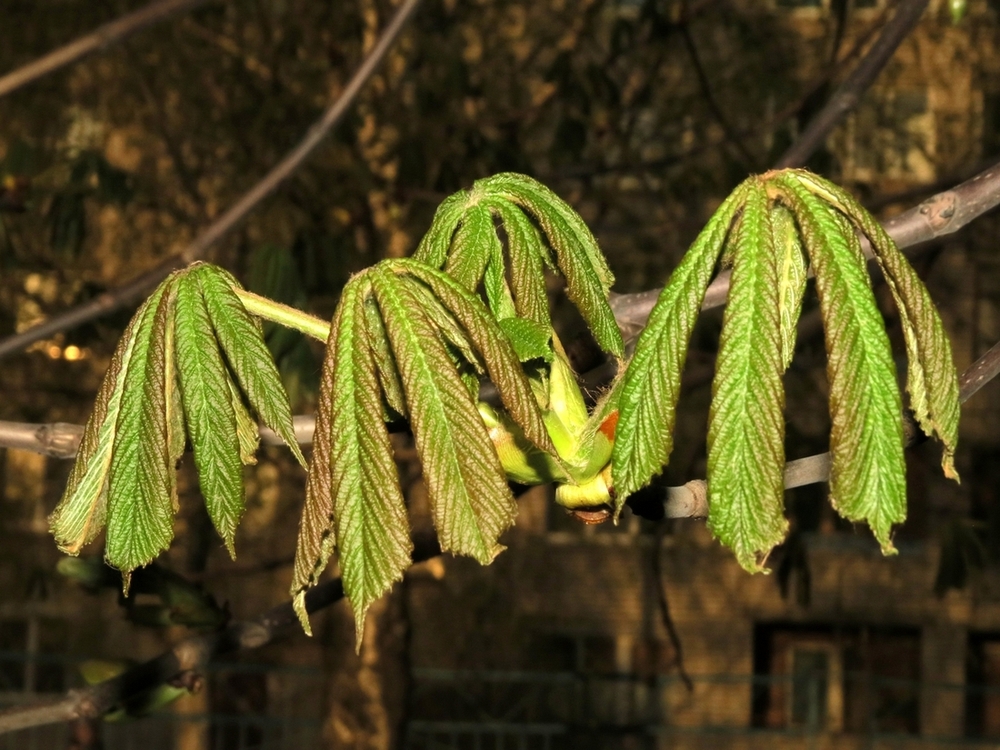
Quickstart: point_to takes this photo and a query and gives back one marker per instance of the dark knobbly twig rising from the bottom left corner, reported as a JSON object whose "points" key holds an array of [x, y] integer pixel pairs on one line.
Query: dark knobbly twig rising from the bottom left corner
{"points": [[190, 655]]}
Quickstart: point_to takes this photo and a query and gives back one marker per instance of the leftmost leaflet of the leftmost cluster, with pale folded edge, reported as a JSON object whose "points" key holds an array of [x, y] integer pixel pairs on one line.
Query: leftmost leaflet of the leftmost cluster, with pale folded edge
{"points": [[82, 511]]}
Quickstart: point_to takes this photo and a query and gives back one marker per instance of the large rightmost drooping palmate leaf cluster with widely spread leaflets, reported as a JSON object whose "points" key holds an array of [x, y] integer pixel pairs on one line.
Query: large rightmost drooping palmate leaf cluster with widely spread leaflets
{"points": [[766, 231]]}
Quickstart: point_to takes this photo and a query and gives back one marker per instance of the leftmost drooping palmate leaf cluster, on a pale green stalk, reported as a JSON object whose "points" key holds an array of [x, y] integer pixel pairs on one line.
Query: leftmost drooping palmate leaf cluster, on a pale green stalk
{"points": [[192, 366]]}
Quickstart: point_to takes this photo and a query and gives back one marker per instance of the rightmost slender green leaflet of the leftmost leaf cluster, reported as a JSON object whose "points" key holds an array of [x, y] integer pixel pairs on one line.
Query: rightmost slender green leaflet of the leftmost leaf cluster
{"points": [[243, 343]]}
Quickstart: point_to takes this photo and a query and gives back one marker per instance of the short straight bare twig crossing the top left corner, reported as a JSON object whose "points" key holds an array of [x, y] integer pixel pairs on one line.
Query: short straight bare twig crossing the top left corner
{"points": [[100, 38]]}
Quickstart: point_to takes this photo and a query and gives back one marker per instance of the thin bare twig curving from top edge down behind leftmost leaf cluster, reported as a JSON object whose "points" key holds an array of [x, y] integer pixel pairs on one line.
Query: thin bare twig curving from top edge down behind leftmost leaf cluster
{"points": [[132, 291]]}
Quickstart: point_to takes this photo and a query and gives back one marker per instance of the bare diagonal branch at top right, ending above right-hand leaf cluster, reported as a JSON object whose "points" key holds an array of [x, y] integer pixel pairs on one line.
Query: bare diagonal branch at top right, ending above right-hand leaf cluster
{"points": [[849, 93]]}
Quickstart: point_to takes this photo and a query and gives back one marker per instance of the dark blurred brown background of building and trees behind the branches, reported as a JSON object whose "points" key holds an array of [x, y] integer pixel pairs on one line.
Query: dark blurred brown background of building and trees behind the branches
{"points": [[643, 114]]}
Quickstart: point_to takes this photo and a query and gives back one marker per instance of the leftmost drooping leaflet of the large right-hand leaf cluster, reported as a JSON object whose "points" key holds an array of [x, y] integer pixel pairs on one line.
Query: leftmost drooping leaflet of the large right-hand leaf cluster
{"points": [[652, 381]]}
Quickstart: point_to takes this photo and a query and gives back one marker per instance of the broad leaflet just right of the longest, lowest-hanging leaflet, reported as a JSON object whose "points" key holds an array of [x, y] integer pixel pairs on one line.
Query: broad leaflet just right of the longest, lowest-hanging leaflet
{"points": [[471, 502]]}
